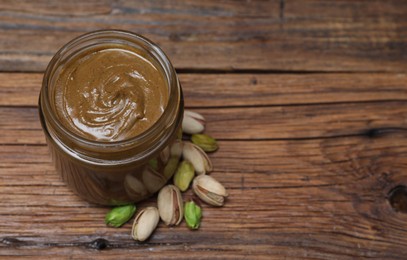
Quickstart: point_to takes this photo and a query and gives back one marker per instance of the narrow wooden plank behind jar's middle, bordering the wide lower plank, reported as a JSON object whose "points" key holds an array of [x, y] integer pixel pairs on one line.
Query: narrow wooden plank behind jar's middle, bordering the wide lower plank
{"points": [[21, 125]]}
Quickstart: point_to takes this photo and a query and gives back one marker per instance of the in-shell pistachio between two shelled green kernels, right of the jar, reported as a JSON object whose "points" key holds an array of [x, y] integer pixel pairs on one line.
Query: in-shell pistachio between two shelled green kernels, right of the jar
{"points": [[199, 159]]}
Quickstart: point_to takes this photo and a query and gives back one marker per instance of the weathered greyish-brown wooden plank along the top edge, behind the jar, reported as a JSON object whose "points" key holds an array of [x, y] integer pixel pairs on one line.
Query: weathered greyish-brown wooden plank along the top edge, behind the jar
{"points": [[311, 35]]}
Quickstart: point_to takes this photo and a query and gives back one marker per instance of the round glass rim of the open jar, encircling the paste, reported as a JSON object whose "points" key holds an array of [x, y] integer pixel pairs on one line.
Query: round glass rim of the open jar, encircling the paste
{"points": [[169, 71]]}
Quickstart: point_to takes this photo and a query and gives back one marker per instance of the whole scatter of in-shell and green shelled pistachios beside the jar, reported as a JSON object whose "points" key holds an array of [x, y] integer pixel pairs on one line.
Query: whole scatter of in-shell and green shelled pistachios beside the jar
{"points": [[171, 208]]}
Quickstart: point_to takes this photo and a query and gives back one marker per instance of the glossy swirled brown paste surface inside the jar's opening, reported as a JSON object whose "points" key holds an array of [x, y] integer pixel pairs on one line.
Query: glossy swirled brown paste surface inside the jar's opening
{"points": [[110, 93]]}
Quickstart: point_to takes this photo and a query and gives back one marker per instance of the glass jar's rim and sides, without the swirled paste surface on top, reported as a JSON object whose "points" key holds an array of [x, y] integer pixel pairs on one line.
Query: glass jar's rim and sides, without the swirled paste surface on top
{"points": [[113, 172]]}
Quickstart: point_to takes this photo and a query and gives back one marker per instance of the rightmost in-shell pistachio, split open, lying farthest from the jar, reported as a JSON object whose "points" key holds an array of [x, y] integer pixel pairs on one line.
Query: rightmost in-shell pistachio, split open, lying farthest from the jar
{"points": [[209, 190]]}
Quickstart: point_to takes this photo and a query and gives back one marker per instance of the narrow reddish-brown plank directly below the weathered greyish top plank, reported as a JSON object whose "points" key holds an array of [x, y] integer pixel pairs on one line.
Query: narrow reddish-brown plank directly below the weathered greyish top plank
{"points": [[225, 90]]}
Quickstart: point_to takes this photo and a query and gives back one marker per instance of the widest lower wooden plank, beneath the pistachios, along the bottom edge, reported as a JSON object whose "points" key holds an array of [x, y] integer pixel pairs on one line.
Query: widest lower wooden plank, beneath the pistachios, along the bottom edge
{"points": [[326, 198]]}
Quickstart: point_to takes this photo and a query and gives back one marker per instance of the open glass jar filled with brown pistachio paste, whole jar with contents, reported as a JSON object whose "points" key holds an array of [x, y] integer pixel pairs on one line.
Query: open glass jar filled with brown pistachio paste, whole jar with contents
{"points": [[111, 109]]}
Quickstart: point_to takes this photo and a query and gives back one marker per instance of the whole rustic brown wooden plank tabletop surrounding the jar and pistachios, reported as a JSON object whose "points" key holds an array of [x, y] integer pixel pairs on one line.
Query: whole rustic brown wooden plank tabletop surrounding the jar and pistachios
{"points": [[307, 98]]}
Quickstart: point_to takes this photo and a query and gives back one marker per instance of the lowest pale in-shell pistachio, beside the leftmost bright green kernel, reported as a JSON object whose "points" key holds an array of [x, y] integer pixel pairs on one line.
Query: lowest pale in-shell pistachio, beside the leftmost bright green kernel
{"points": [[145, 223]]}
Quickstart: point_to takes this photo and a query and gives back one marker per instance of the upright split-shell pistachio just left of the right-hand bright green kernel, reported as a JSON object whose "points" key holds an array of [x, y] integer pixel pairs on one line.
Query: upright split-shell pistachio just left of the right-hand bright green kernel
{"points": [[170, 205]]}
